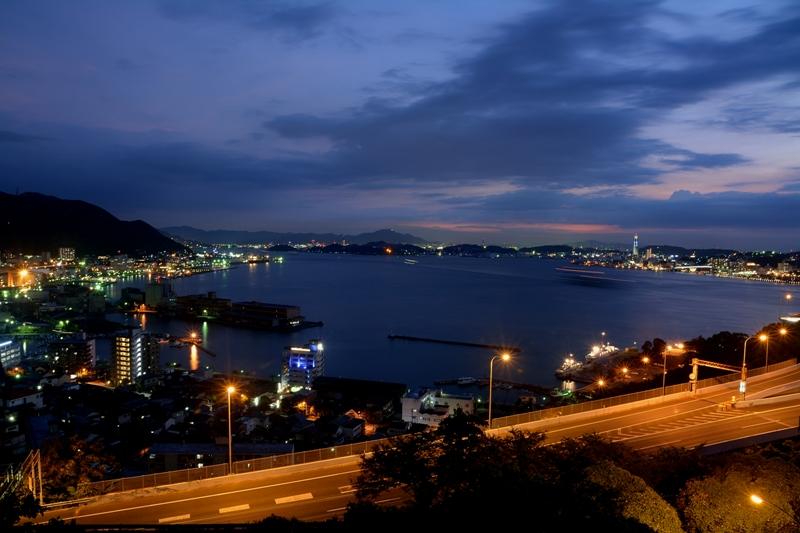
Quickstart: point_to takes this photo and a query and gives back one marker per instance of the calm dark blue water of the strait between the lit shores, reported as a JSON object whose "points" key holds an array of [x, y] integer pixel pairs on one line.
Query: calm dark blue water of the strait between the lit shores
{"points": [[519, 301]]}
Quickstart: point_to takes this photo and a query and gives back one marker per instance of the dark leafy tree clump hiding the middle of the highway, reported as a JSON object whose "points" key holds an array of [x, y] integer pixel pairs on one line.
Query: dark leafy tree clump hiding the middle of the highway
{"points": [[456, 473]]}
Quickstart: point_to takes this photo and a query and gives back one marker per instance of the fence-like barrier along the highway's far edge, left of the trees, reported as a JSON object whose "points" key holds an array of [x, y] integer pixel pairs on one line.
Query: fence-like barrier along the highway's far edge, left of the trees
{"points": [[221, 470]]}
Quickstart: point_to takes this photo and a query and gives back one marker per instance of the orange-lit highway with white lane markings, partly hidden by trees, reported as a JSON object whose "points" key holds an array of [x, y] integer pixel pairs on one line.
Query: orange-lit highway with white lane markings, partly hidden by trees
{"points": [[321, 490]]}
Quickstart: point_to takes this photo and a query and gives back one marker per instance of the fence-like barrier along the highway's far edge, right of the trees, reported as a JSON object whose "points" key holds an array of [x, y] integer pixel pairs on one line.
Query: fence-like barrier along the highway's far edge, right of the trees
{"points": [[543, 414]]}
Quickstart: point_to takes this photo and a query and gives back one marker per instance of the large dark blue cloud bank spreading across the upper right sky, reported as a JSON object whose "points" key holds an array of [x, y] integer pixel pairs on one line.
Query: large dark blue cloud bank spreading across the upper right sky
{"points": [[558, 98]]}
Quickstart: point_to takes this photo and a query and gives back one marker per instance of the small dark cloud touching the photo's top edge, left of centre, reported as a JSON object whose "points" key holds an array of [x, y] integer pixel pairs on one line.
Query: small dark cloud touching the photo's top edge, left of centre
{"points": [[296, 20]]}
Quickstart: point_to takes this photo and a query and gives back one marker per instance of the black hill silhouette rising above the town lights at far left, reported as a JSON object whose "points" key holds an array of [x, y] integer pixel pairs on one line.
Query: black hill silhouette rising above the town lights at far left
{"points": [[33, 223]]}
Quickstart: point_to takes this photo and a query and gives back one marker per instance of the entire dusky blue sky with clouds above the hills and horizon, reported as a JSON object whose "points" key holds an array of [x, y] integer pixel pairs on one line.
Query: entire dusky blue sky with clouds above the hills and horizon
{"points": [[526, 122]]}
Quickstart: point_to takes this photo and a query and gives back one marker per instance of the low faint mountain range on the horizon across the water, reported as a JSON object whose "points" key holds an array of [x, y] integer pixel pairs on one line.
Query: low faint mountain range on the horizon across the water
{"points": [[256, 237]]}
